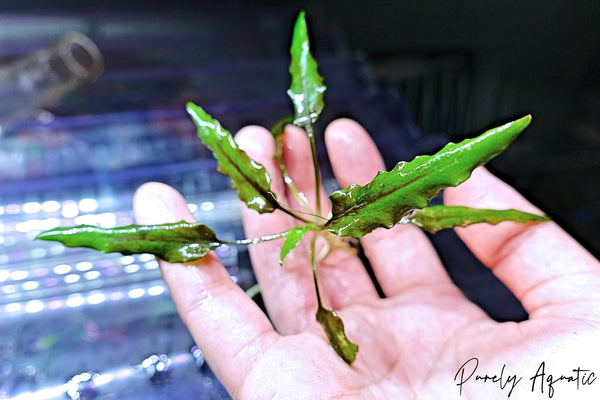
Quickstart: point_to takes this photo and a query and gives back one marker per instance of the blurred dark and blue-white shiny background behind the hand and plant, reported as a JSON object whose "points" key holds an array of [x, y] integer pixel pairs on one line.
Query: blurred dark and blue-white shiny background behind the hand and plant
{"points": [[88, 116]]}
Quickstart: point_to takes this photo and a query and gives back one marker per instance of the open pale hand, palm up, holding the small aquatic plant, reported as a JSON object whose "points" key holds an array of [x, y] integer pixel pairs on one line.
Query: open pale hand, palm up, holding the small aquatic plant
{"points": [[415, 342]]}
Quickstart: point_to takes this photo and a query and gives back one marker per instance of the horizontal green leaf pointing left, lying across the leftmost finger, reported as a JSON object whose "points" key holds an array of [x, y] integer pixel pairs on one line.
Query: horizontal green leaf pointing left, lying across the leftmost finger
{"points": [[178, 242]]}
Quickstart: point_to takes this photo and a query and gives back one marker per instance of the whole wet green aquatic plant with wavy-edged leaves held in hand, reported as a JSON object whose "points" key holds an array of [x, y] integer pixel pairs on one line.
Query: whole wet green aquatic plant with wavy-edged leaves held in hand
{"points": [[399, 196]]}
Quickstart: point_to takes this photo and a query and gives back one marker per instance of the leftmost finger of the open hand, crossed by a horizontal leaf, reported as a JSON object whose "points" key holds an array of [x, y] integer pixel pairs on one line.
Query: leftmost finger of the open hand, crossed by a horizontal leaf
{"points": [[228, 326]]}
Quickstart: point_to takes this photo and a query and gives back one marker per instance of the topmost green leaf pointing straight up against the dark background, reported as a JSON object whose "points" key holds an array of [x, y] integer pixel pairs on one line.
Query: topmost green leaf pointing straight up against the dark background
{"points": [[306, 89]]}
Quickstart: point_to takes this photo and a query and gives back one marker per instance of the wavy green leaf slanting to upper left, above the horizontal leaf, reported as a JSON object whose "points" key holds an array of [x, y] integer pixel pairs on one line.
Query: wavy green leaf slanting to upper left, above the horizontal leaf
{"points": [[250, 178]]}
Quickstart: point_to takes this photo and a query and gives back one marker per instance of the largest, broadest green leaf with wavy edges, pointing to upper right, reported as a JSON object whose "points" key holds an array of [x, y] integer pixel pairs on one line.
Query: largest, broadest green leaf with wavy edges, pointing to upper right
{"points": [[358, 210]]}
